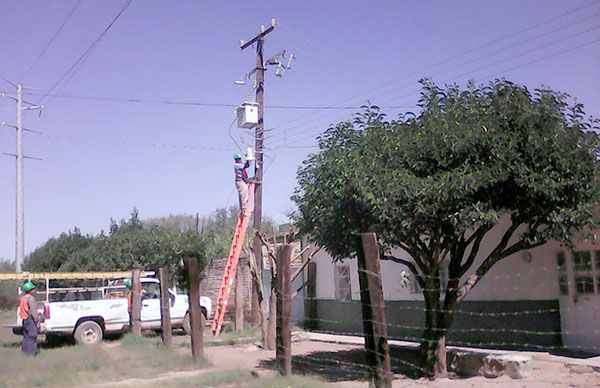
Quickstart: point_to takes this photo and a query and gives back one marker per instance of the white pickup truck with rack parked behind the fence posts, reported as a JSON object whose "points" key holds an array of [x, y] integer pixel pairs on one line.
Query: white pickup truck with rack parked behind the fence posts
{"points": [[89, 320]]}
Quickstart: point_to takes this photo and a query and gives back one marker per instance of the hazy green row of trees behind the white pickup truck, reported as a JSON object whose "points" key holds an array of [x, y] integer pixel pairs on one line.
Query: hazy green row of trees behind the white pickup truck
{"points": [[135, 243]]}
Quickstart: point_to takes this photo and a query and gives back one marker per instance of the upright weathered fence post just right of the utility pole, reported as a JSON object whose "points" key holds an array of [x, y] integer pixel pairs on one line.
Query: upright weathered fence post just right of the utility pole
{"points": [[283, 352]]}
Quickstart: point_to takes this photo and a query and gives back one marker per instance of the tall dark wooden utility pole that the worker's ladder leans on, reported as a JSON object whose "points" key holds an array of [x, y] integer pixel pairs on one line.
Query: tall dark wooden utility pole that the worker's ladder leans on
{"points": [[258, 163]]}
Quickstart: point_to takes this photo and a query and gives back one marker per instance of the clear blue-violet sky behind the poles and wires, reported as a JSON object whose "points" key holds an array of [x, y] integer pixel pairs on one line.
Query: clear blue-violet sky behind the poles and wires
{"points": [[102, 158]]}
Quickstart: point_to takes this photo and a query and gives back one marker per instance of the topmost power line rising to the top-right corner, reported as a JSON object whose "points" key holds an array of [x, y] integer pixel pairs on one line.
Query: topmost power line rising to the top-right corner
{"points": [[488, 44]]}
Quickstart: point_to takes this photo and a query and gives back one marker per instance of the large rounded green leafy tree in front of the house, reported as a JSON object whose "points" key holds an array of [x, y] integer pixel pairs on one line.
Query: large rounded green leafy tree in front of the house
{"points": [[436, 183]]}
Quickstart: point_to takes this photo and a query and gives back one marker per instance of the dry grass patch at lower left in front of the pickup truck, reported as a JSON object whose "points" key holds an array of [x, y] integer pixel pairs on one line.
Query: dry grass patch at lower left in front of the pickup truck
{"points": [[71, 365]]}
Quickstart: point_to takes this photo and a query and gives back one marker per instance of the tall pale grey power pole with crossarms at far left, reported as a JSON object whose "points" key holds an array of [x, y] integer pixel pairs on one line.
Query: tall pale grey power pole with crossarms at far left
{"points": [[20, 206]]}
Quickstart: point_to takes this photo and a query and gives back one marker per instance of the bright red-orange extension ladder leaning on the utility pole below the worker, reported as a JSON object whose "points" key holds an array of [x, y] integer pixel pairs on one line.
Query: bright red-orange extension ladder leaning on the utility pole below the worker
{"points": [[231, 267]]}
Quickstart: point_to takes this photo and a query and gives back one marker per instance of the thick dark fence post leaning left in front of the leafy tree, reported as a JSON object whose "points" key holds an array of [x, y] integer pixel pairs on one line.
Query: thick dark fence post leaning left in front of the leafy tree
{"points": [[378, 352]]}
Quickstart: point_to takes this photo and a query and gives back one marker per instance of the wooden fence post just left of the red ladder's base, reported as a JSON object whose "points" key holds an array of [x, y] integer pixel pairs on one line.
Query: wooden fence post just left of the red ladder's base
{"points": [[196, 323]]}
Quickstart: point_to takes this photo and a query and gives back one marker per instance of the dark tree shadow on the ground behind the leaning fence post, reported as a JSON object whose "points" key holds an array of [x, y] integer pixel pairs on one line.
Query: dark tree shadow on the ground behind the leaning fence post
{"points": [[349, 365]]}
